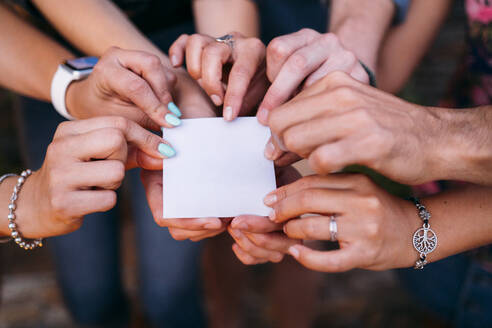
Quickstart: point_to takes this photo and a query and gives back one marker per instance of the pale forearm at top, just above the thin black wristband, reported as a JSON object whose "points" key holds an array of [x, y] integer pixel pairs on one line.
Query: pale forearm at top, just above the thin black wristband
{"points": [[361, 26]]}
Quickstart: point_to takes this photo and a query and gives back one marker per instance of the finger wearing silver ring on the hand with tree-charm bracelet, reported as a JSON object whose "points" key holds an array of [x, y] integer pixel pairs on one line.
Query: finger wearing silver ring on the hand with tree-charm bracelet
{"points": [[314, 228]]}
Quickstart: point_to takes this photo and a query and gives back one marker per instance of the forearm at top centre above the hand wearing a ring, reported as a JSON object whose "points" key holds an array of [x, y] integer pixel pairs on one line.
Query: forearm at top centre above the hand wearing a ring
{"points": [[218, 17]]}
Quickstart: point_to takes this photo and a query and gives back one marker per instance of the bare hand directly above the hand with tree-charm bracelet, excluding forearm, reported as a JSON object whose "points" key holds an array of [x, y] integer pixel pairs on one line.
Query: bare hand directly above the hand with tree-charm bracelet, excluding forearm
{"points": [[349, 122]]}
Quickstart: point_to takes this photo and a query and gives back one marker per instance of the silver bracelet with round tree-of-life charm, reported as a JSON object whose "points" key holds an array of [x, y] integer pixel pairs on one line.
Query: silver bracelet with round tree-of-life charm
{"points": [[424, 239]]}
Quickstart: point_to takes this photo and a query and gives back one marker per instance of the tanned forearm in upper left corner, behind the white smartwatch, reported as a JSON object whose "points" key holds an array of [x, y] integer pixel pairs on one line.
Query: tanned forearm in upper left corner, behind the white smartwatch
{"points": [[29, 58]]}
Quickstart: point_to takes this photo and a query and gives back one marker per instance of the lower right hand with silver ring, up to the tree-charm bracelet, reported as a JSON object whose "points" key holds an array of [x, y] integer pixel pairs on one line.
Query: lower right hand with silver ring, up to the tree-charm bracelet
{"points": [[375, 229]]}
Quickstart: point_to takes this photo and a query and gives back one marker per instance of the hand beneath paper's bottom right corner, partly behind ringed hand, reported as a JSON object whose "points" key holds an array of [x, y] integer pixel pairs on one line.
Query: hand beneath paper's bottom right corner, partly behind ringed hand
{"points": [[259, 240]]}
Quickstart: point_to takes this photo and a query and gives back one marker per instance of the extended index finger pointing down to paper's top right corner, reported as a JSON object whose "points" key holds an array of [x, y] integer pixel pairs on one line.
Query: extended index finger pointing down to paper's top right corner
{"points": [[296, 69]]}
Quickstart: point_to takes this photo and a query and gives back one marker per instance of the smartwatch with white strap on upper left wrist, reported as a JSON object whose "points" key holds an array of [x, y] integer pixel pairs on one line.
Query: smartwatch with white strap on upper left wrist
{"points": [[70, 70]]}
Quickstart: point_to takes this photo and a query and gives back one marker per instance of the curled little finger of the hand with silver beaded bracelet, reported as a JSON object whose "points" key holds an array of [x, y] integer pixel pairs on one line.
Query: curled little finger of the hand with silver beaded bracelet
{"points": [[84, 202]]}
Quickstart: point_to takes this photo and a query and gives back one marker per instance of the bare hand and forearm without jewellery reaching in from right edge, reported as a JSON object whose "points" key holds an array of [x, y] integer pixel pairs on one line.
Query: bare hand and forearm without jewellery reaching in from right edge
{"points": [[408, 143]]}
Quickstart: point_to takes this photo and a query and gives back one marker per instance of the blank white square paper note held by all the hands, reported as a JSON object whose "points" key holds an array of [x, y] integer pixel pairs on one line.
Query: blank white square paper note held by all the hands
{"points": [[219, 169]]}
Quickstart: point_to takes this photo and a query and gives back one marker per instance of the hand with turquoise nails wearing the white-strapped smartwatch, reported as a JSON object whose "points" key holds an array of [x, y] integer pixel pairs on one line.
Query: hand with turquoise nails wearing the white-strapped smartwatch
{"points": [[132, 84]]}
